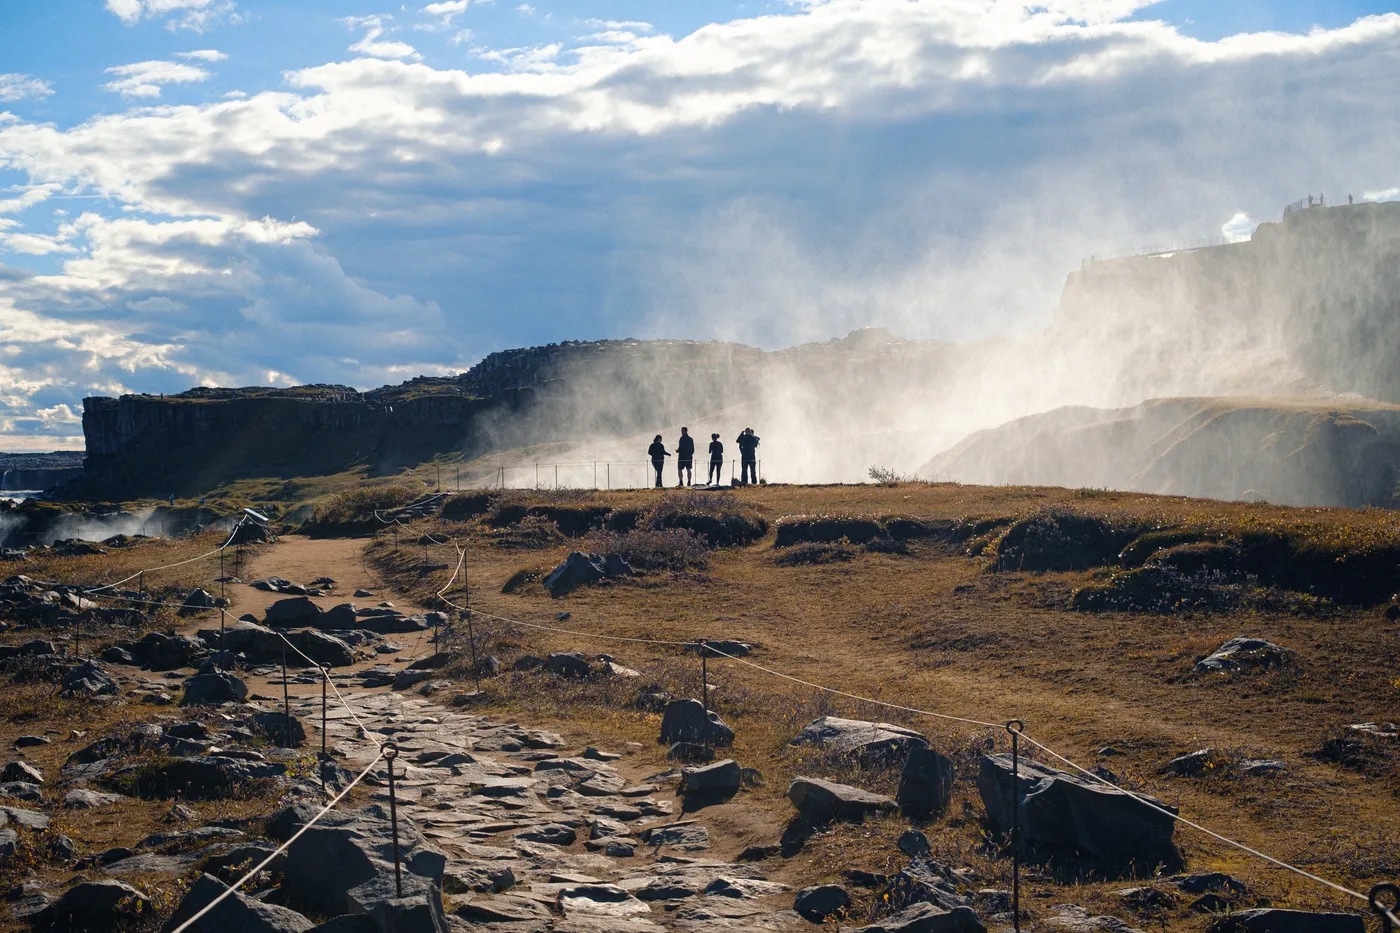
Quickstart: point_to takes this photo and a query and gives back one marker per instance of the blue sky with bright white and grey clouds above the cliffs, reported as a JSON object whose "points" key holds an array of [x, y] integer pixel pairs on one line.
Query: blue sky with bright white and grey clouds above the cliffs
{"points": [[244, 193]]}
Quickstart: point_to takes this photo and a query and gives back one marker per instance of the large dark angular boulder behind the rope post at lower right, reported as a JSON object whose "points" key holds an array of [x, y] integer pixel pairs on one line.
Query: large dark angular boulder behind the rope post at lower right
{"points": [[1060, 810]]}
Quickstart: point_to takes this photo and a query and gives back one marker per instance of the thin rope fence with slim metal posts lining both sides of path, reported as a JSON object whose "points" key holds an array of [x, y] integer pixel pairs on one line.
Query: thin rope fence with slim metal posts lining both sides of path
{"points": [[1377, 900]]}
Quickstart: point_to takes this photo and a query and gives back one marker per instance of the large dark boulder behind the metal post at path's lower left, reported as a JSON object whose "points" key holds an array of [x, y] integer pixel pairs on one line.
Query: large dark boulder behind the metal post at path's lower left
{"points": [[344, 864]]}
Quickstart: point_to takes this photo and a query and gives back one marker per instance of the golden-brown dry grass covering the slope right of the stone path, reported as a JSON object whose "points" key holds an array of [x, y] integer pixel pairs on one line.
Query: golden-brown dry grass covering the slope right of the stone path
{"points": [[940, 630]]}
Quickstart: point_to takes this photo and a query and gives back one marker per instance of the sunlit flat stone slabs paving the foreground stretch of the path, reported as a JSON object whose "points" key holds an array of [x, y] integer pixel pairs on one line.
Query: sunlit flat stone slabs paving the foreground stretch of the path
{"points": [[533, 827]]}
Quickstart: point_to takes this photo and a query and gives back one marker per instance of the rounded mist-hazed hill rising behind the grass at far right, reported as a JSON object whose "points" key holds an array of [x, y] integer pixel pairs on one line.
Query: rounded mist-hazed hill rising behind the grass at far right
{"points": [[1287, 453]]}
